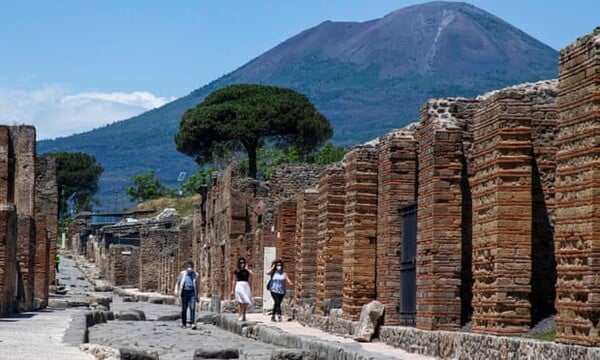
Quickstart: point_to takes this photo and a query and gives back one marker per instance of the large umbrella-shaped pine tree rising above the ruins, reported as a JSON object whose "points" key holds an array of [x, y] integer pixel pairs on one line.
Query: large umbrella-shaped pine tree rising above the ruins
{"points": [[239, 117]]}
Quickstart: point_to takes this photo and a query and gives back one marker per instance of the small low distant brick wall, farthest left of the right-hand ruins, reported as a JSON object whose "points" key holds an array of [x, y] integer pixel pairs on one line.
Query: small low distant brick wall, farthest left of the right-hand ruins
{"points": [[124, 265]]}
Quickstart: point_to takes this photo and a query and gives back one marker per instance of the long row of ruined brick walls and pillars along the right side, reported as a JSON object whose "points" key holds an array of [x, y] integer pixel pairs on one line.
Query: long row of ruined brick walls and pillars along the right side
{"points": [[483, 215]]}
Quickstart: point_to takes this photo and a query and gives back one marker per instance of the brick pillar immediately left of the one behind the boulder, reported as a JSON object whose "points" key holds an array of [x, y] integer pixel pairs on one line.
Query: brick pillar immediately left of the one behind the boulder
{"points": [[330, 244]]}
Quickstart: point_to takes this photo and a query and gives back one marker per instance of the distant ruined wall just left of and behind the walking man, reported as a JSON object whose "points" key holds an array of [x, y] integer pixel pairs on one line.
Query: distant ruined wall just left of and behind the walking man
{"points": [[154, 243]]}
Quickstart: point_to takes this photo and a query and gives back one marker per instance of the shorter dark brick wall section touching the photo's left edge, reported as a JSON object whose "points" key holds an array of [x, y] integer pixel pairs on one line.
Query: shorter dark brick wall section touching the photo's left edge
{"points": [[8, 258]]}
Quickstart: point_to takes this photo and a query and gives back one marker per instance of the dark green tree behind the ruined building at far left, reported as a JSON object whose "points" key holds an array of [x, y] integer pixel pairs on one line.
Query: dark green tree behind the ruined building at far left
{"points": [[77, 179]]}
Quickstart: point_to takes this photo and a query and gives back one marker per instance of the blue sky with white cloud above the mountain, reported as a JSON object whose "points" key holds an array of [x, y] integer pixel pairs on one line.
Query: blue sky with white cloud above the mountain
{"points": [[69, 66]]}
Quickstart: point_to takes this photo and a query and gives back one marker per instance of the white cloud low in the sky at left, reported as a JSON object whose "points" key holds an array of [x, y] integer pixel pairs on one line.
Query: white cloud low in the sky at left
{"points": [[55, 113]]}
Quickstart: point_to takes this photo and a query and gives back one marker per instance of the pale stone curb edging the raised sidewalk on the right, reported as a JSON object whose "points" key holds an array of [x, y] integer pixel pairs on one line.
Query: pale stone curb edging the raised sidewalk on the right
{"points": [[273, 335]]}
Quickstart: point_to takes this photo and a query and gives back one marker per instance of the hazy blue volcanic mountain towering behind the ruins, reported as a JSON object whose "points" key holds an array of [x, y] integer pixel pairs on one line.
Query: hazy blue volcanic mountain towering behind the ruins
{"points": [[367, 78]]}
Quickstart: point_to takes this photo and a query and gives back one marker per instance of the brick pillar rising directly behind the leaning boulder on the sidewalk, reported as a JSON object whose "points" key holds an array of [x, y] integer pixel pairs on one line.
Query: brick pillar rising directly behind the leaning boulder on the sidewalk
{"points": [[360, 228]]}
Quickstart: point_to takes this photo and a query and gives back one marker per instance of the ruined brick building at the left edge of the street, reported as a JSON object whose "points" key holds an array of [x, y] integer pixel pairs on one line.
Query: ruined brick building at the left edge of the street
{"points": [[29, 213]]}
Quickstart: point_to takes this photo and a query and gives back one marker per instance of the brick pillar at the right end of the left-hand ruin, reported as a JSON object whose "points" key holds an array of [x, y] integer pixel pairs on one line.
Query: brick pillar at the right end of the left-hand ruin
{"points": [[46, 224]]}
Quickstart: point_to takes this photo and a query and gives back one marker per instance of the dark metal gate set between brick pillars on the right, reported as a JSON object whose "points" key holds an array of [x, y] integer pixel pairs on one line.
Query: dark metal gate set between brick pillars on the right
{"points": [[408, 273]]}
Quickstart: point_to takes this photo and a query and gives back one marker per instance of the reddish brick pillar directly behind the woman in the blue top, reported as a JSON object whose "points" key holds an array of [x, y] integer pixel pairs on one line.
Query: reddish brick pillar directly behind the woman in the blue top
{"points": [[285, 238]]}
